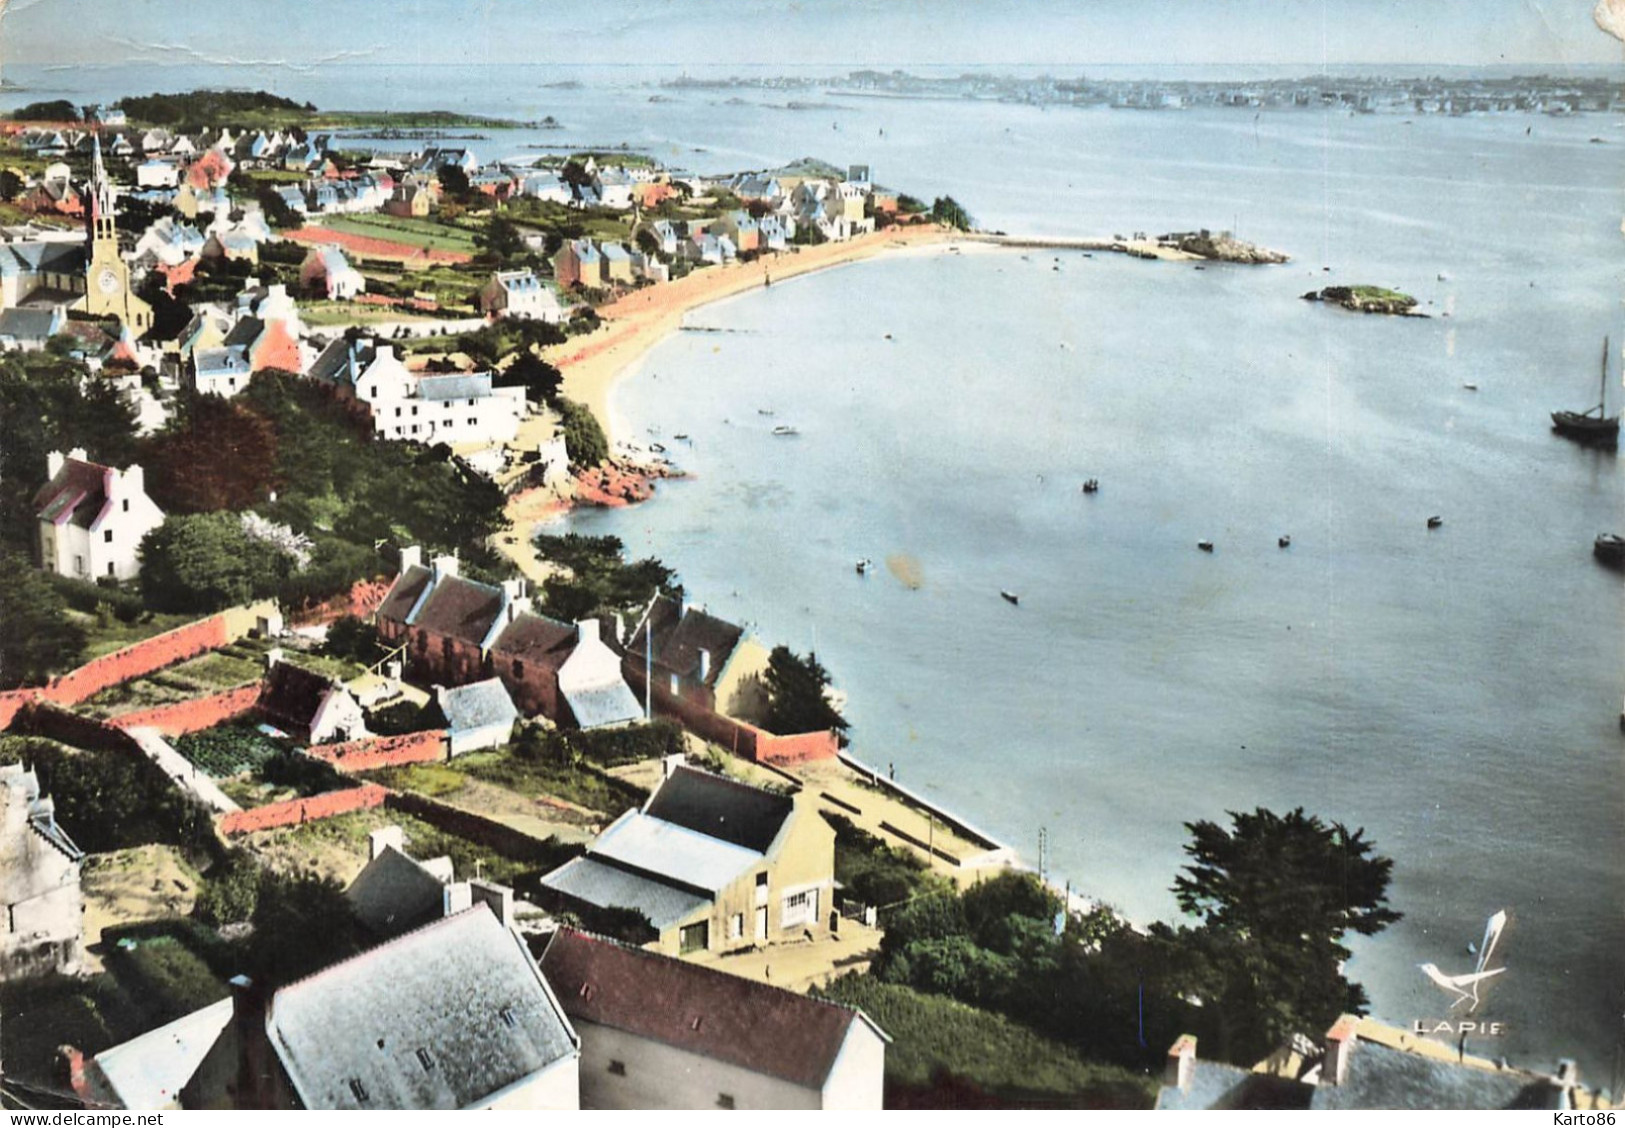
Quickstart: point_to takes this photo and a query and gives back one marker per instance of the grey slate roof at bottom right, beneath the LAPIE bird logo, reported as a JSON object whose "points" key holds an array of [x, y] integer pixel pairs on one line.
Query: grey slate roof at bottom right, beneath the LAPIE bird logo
{"points": [[1385, 1078]]}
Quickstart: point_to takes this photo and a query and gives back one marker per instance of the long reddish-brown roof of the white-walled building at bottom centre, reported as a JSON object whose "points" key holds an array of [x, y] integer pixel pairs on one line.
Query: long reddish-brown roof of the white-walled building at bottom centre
{"points": [[758, 1028]]}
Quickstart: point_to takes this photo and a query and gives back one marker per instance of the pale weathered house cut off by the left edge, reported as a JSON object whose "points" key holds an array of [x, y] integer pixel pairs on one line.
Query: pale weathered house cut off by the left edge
{"points": [[40, 883]]}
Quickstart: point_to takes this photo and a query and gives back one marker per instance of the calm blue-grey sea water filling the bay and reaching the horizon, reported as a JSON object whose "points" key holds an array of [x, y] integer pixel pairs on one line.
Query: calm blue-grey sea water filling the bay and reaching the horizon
{"points": [[1452, 692]]}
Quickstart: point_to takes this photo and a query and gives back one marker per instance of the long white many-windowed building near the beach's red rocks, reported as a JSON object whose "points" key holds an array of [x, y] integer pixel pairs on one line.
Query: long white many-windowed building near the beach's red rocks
{"points": [[453, 409]]}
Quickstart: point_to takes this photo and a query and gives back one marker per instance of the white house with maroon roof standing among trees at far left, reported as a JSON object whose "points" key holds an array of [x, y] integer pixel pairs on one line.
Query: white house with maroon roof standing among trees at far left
{"points": [[93, 518]]}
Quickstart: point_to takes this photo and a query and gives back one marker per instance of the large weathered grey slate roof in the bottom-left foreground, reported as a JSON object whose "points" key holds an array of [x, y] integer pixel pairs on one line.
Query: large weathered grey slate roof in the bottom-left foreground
{"points": [[441, 1018]]}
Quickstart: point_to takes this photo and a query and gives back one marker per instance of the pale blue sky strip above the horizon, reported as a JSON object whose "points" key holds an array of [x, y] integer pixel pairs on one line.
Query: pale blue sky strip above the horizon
{"points": [[844, 33]]}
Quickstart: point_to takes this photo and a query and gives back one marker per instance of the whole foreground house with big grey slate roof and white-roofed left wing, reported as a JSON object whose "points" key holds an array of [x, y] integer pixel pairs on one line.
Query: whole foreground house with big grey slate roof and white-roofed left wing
{"points": [[453, 1015]]}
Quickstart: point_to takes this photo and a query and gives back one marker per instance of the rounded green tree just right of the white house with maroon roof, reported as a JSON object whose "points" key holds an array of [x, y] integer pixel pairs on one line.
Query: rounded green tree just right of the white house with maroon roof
{"points": [[204, 563]]}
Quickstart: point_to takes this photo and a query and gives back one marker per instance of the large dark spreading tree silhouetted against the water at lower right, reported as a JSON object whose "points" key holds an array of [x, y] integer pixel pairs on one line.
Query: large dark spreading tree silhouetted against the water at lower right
{"points": [[1276, 895]]}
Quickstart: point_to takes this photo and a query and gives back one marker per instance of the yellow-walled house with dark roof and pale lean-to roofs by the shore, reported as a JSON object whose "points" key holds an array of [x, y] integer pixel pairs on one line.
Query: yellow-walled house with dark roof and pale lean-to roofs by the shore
{"points": [[713, 864]]}
